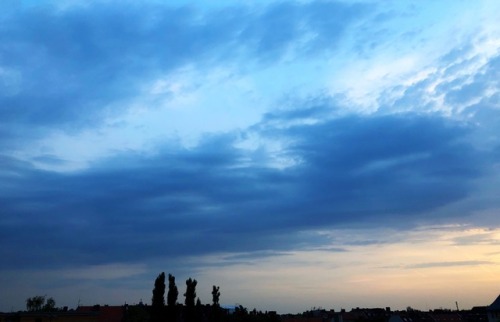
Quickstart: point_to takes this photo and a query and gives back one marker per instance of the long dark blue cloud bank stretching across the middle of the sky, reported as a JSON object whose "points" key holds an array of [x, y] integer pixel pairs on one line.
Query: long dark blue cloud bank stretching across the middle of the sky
{"points": [[212, 199]]}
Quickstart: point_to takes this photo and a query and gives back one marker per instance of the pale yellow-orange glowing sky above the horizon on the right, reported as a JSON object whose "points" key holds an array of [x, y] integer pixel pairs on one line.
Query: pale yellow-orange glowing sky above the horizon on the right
{"points": [[425, 269]]}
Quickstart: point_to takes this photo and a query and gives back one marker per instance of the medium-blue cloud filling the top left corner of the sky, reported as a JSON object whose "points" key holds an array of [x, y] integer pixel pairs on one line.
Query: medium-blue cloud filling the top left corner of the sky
{"points": [[52, 59]]}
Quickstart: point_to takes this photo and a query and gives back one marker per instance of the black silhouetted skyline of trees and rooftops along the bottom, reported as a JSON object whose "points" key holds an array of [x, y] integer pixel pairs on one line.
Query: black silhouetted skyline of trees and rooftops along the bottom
{"points": [[42, 309]]}
